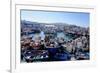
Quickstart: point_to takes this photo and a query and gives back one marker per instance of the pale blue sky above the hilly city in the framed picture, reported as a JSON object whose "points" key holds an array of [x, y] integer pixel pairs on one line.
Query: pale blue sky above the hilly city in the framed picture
{"points": [[77, 18]]}
